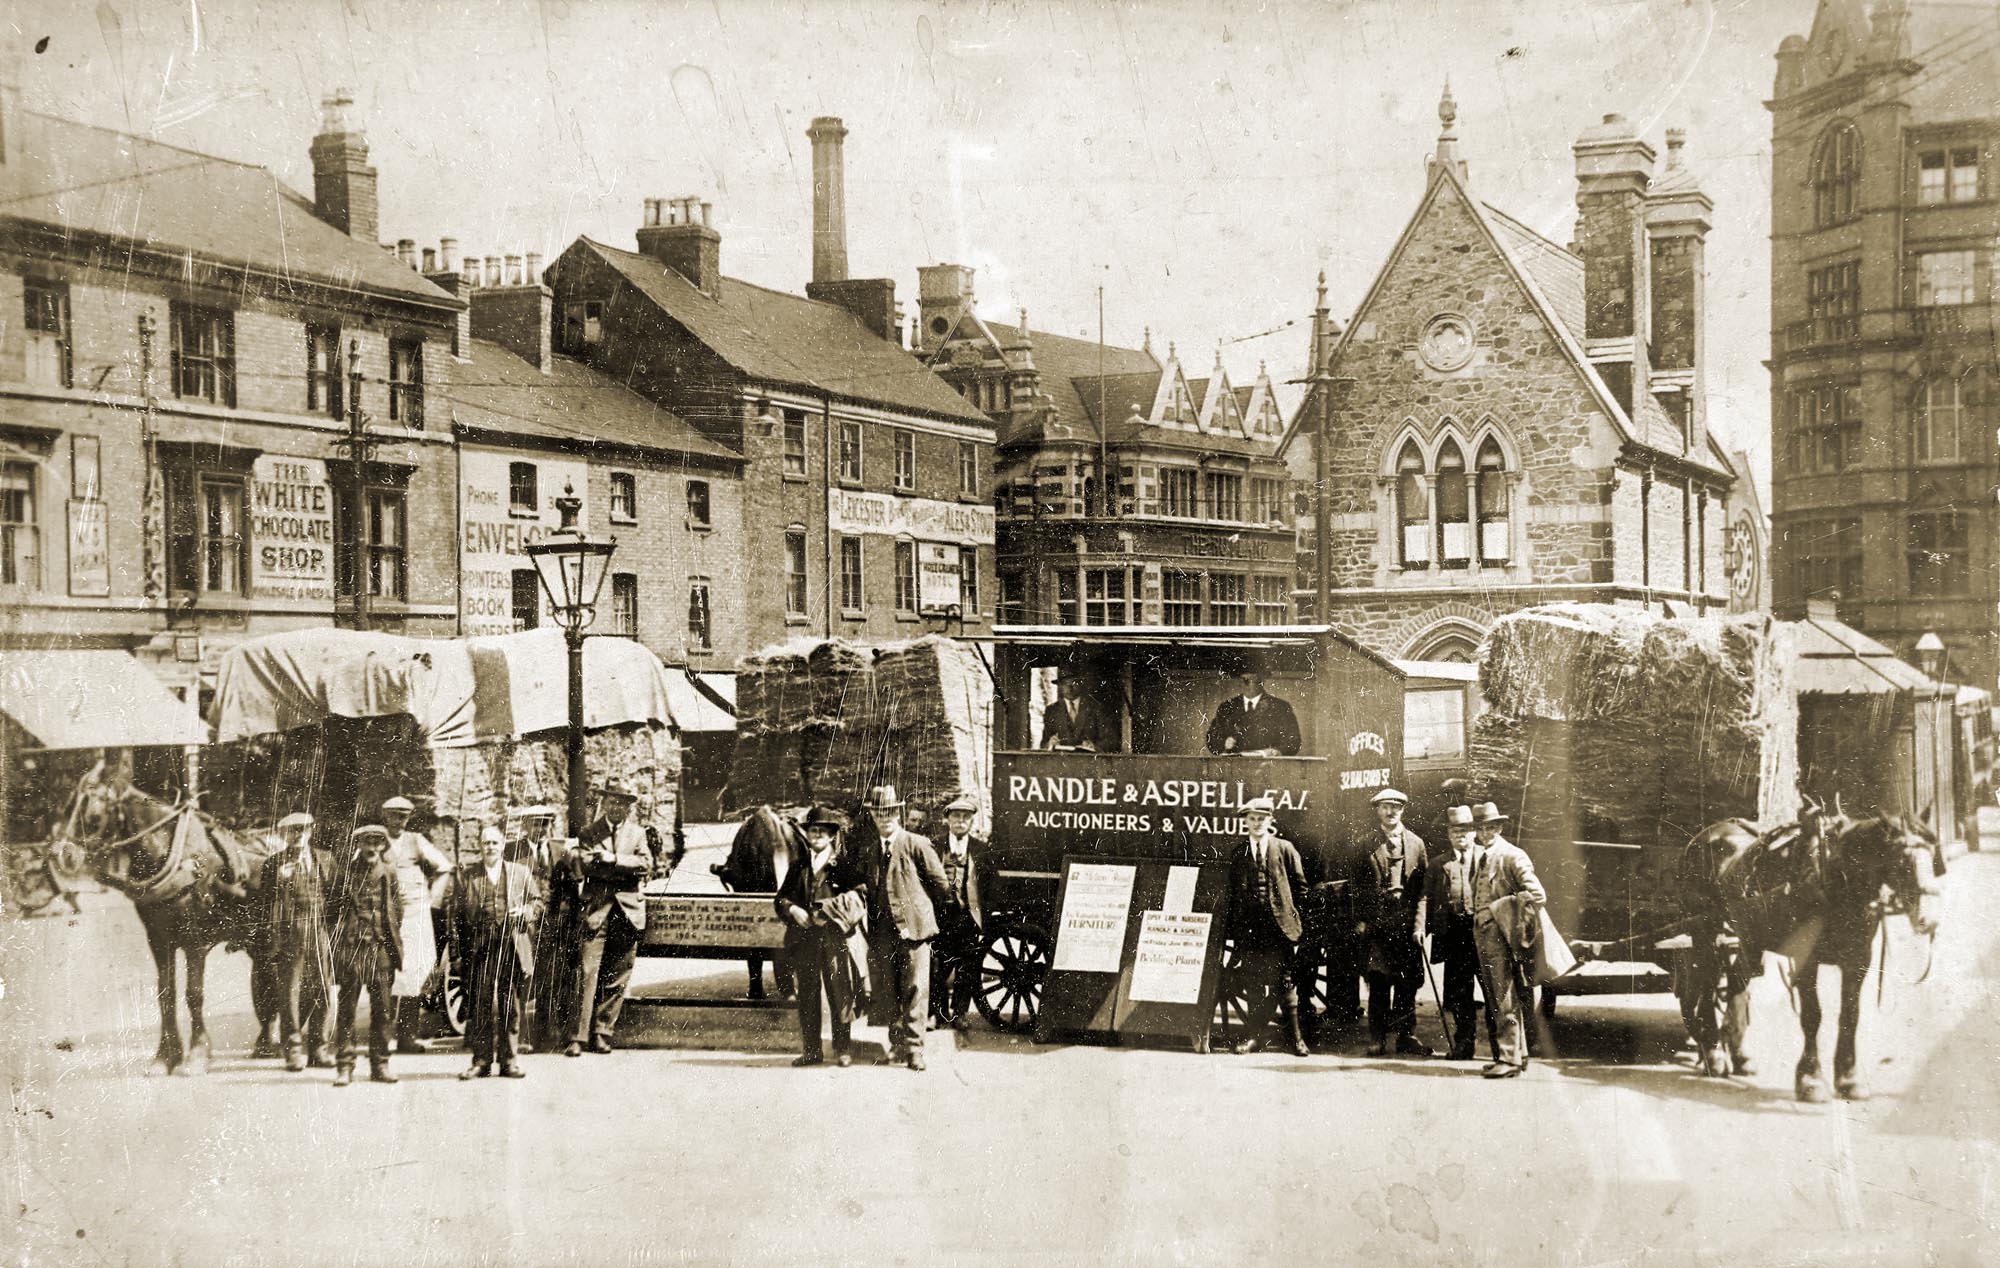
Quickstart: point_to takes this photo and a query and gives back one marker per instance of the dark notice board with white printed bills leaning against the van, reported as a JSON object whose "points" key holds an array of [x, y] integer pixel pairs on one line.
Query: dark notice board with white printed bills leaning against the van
{"points": [[1139, 949]]}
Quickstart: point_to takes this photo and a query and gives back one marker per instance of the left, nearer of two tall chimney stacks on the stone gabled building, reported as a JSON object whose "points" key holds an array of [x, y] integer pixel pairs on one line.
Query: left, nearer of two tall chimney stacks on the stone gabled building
{"points": [[1613, 171]]}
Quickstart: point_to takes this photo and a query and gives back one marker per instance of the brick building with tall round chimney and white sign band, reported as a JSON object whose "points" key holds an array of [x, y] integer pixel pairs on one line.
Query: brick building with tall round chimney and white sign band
{"points": [[865, 481]]}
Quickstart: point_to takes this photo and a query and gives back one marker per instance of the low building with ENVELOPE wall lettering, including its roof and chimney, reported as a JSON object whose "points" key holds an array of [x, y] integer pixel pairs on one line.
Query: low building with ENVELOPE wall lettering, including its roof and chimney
{"points": [[535, 425]]}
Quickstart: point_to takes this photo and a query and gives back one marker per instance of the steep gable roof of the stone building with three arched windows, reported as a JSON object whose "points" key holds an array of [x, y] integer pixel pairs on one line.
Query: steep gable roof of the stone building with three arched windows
{"points": [[1553, 279]]}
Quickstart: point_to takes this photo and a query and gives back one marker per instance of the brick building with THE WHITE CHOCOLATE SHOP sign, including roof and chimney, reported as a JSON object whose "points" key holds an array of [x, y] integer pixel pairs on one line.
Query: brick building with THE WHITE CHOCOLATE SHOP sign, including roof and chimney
{"points": [[189, 345]]}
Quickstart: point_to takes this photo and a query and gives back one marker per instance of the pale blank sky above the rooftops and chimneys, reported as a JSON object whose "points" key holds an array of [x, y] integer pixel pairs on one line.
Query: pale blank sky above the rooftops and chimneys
{"points": [[1199, 161]]}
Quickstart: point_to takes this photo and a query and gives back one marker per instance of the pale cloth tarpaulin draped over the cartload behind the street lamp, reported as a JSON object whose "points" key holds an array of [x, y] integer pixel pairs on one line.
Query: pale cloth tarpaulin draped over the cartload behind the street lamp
{"points": [[461, 693]]}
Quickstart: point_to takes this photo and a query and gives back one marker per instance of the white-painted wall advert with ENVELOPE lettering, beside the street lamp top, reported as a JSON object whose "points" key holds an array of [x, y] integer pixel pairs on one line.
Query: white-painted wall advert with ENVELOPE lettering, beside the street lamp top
{"points": [[507, 503]]}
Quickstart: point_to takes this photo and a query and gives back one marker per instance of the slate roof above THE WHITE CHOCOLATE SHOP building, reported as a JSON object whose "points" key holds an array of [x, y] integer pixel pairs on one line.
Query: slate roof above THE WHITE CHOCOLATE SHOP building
{"points": [[167, 199]]}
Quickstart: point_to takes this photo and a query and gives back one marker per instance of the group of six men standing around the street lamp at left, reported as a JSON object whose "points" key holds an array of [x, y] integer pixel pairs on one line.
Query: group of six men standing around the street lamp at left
{"points": [[537, 921]]}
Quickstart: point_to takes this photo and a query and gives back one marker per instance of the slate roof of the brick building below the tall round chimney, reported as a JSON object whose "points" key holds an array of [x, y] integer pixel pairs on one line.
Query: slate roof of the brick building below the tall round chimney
{"points": [[793, 341]]}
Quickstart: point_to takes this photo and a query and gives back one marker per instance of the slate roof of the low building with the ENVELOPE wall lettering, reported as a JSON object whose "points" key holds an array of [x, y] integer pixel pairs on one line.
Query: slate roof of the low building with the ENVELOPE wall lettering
{"points": [[503, 393]]}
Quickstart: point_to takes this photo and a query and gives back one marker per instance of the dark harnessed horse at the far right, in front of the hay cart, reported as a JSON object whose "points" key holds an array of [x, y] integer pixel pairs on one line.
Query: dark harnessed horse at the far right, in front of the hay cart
{"points": [[1815, 891]]}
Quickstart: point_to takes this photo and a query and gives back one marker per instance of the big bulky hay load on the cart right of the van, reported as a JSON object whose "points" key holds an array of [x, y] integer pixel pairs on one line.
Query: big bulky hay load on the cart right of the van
{"points": [[1613, 737]]}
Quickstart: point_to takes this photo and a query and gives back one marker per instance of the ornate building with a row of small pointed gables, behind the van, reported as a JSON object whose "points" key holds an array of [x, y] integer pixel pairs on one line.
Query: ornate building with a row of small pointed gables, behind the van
{"points": [[1193, 529]]}
